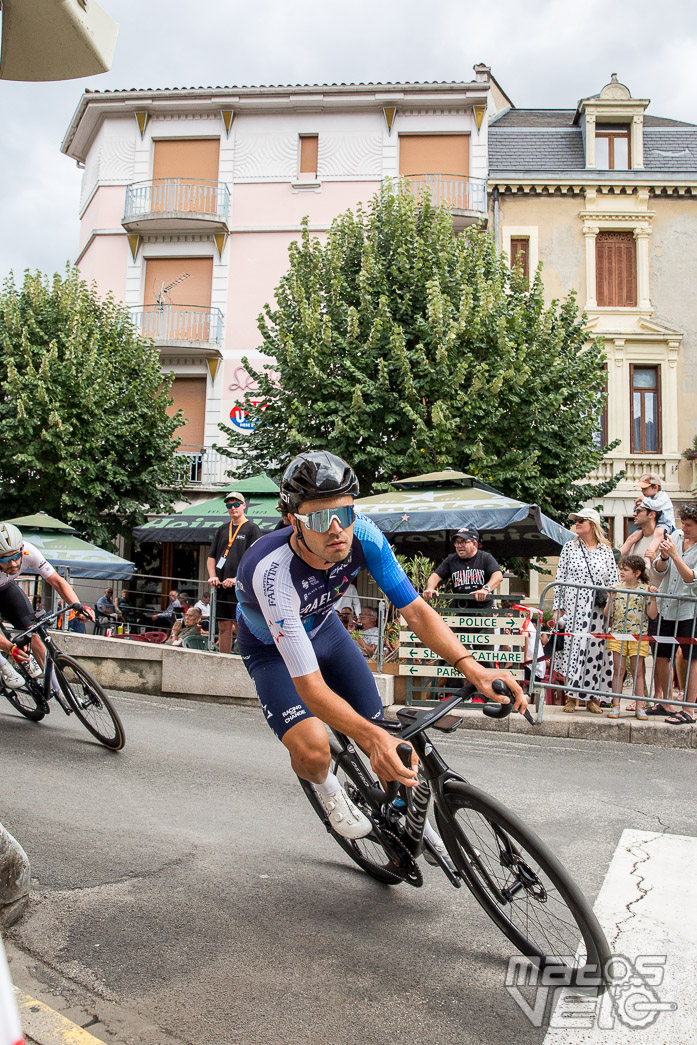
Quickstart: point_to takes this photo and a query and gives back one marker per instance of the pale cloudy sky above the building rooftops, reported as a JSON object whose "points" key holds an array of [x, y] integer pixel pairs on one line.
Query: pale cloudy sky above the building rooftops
{"points": [[547, 54]]}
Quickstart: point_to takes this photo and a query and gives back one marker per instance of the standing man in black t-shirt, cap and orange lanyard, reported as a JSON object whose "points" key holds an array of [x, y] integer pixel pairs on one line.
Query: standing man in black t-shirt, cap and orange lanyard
{"points": [[229, 545]]}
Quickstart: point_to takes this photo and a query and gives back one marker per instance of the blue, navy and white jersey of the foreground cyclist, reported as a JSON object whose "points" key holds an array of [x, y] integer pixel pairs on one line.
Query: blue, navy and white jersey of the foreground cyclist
{"points": [[285, 601]]}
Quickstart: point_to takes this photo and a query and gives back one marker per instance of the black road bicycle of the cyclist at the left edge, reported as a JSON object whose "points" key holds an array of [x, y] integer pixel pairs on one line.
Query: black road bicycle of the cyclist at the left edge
{"points": [[74, 688]]}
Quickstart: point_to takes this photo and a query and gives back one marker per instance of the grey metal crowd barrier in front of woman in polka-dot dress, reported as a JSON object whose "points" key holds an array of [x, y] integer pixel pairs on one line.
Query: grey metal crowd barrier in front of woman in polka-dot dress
{"points": [[608, 645]]}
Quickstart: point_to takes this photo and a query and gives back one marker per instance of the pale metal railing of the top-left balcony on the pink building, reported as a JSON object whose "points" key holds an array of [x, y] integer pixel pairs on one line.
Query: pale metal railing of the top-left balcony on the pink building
{"points": [[183, 198]]}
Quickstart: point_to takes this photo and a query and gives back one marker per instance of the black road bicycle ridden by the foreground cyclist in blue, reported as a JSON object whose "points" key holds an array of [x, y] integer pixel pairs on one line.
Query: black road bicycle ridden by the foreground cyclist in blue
{"points": [[509, 871]]}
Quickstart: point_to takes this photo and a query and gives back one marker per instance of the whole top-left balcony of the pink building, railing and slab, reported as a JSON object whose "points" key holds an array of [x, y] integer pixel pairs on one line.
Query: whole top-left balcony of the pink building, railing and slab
{"points": [[177, 204]]}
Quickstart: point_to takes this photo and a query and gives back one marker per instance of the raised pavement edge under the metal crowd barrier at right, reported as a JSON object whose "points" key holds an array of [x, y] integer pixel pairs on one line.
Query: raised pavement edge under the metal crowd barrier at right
{"points": [[583, 726]]}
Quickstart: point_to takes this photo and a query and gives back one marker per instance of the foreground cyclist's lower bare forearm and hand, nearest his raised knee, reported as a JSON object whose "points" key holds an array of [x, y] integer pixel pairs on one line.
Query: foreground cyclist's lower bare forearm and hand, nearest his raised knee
{"points": [[380, 747]]}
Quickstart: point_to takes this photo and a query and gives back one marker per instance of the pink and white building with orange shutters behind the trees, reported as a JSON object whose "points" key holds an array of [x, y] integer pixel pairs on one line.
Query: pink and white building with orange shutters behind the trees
{"points": [[191, 198]]}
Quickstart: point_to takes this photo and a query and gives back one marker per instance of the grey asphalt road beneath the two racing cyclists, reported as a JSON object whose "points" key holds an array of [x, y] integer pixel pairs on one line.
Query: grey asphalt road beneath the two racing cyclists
{"points": [[185, 892]]}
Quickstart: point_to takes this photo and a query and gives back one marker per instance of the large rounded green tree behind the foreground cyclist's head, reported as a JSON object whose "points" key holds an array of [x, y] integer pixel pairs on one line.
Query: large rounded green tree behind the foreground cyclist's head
{"points": [[407, 350]]}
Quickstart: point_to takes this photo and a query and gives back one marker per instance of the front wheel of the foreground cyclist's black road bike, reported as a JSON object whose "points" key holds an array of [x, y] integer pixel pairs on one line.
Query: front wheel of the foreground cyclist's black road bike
{"points": [[524, 888]]}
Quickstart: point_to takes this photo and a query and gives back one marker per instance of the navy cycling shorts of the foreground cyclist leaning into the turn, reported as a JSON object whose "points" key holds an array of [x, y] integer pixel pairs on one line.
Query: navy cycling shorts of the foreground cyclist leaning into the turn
{"points": [[342, 664]]}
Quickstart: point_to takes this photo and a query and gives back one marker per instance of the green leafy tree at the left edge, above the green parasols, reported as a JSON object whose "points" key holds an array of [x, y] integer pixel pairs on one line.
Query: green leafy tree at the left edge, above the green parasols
{"points": [[84, 428]]}
